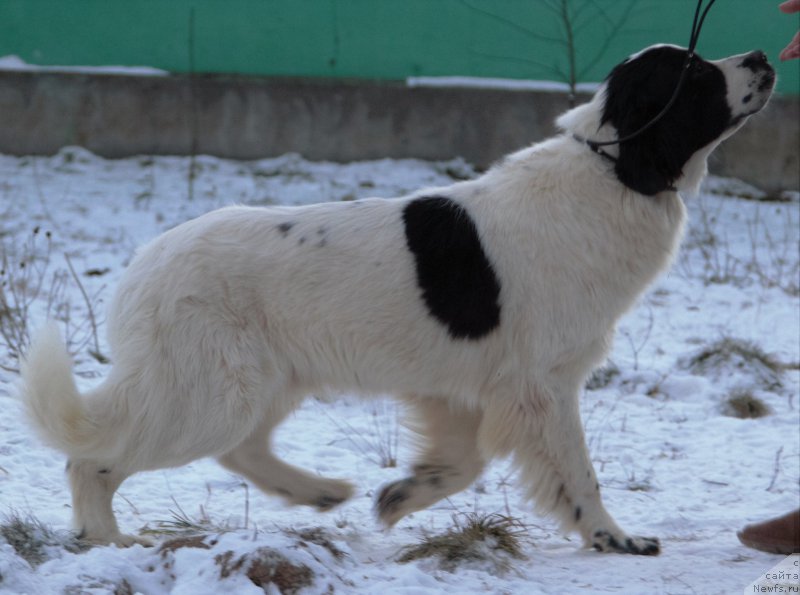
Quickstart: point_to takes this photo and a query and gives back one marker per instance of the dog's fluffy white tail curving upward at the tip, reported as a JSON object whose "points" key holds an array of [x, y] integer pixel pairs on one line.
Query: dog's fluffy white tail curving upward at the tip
{"points": [[58, 411]]}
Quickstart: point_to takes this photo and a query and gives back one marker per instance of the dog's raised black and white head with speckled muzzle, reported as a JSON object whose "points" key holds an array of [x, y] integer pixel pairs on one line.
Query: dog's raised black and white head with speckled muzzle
{"points": [[714, 101]]}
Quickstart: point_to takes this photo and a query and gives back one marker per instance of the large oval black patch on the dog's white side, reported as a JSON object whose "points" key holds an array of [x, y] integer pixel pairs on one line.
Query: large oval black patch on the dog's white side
{"points": [[458, 283]]}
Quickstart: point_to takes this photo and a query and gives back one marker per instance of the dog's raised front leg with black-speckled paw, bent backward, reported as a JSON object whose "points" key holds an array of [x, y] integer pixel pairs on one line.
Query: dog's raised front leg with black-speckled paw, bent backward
{"points": [[448, 462]]}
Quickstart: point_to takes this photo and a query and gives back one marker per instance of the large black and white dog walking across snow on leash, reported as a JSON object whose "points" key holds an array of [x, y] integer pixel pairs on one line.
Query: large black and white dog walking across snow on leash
{"points": [[483, 306]]}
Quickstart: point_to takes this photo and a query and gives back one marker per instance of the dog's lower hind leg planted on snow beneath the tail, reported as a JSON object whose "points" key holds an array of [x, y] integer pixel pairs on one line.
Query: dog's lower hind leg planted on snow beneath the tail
{"points": [[93, 485]]}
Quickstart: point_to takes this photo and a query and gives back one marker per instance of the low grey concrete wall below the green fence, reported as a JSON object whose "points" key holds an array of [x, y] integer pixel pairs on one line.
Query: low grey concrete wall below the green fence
{"points": [[249, 118]]}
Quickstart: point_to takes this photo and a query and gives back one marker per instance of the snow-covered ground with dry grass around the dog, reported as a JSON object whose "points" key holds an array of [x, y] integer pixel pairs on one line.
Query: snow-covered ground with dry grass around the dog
{"points": [[671, 462]]}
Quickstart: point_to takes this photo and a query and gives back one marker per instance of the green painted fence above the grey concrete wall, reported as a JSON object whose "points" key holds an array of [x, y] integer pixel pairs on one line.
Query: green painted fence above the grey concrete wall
{"points": [[384, 39]]}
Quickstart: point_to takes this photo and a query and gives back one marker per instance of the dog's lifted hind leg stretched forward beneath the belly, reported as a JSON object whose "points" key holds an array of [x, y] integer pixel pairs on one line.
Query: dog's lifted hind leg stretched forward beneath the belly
{"points": [[253, 459]]}
